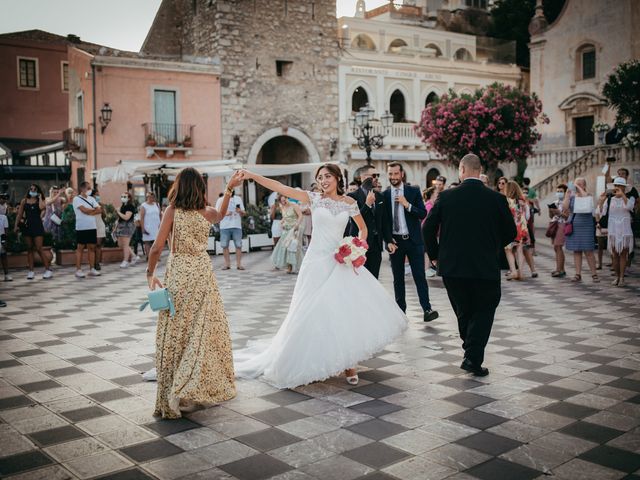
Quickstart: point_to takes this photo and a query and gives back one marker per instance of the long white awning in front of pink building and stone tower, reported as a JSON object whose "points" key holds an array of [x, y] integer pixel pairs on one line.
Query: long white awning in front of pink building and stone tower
{"points": [[129, 170]]}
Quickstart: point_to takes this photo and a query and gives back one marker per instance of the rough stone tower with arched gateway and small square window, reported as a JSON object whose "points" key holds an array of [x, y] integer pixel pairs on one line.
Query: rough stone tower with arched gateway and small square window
{"points": [[278, 63]]}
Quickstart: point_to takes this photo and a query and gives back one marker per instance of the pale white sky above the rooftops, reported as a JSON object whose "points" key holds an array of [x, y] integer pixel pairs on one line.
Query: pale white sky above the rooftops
{"points": [[121, 24]]}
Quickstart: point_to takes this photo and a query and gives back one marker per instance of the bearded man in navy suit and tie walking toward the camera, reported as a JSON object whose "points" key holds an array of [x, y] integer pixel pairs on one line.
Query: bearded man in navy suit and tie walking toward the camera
{"points": [[404, 212]]}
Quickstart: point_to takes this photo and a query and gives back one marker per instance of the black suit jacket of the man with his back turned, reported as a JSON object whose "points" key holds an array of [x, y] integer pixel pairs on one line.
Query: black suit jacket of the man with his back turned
{"points": [[475, 224]]}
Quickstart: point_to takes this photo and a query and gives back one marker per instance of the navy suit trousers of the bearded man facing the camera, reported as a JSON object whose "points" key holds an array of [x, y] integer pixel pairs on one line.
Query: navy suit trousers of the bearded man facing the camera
{"points": [[415, 254]]}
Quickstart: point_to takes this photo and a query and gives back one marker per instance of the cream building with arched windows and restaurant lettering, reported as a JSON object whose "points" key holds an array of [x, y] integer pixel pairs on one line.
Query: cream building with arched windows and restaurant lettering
{"points": [[399, 58]]}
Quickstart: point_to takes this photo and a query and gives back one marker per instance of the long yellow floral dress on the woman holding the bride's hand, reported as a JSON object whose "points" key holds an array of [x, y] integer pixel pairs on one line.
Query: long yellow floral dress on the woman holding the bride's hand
{"points": [[193, 348]]}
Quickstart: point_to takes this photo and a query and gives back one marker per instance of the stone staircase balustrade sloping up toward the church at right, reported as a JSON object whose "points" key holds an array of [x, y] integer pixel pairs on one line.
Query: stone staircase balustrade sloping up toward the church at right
{"points": [[583, 165]]}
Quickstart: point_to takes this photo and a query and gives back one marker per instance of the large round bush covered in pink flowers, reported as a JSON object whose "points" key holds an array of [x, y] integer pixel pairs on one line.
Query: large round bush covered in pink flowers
{"points": [[497, 123]]}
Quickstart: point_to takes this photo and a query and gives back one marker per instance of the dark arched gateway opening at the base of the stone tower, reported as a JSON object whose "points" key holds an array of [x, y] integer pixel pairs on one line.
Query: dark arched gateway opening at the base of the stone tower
{"points": [[282, 150]]}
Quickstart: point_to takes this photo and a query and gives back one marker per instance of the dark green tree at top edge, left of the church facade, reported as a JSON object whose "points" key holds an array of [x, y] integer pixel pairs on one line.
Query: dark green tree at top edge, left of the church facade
{"points": [[511, 22]]}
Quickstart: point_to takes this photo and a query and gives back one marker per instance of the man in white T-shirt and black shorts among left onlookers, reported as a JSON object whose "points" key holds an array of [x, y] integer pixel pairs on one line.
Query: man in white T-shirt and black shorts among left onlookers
{"points": [[86, 208]]}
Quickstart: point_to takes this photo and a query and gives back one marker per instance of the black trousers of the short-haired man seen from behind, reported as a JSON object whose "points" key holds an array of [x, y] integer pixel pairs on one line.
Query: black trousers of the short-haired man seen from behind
{"points": [[474, 302]]}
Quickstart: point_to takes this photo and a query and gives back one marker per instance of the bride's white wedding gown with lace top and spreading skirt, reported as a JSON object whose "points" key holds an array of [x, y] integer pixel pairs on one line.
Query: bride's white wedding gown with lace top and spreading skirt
{"points": [[336, 319]]}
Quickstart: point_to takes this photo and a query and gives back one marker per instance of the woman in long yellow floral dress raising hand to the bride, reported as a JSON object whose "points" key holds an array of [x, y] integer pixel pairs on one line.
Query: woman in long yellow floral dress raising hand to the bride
{"points": [[193, 348]]}
